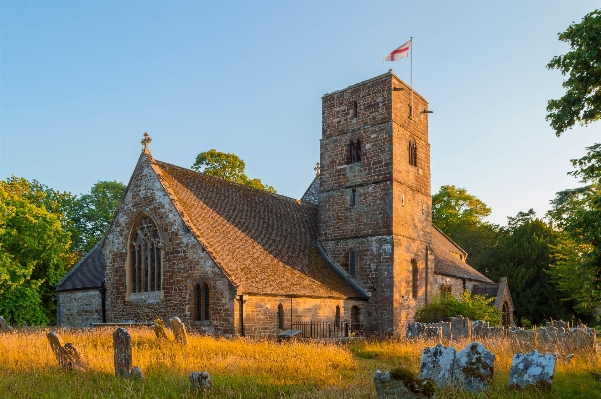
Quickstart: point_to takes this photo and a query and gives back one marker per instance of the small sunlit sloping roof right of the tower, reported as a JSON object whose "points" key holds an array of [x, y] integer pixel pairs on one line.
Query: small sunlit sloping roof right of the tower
{"points": [[448, 264]]}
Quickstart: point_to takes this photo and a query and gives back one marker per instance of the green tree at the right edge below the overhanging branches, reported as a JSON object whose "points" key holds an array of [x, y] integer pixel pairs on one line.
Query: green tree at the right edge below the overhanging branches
{"points": [[577, 212]]}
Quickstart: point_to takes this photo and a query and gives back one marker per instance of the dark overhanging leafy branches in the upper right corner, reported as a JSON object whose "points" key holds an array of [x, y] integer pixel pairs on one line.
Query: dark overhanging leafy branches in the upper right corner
{"points": [[581, 102]]}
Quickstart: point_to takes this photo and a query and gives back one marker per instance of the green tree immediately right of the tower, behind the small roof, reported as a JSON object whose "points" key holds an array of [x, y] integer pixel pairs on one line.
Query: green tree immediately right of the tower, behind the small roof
{"points": [[461, 216]]}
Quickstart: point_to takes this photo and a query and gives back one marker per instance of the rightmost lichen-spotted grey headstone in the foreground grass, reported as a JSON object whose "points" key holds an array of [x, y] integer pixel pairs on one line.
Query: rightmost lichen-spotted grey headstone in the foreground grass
{"points": [[531, 368]]}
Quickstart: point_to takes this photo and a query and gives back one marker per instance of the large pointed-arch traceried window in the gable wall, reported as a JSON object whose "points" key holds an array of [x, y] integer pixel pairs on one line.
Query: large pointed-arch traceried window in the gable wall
{"points": [[146, 257]]}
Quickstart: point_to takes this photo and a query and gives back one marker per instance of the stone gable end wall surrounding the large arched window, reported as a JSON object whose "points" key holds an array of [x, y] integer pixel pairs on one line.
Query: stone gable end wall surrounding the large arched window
{"points": [[185, 263]]}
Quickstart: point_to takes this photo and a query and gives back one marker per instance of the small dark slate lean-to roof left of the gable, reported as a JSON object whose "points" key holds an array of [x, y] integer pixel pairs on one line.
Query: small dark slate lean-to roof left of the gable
{"points": [[88, 273]]}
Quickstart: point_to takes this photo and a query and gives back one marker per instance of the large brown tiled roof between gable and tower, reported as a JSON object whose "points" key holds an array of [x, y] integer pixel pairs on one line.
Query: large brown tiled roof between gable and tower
{"points": [[265, 243]]}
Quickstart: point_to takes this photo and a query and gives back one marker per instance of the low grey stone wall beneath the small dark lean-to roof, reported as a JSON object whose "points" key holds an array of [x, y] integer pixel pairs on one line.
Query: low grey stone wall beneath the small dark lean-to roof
{"points": [[79, 308]]}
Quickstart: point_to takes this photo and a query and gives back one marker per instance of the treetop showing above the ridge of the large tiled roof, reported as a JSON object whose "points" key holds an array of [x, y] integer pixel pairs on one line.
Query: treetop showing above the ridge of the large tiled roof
{"points": [[227, 166]]}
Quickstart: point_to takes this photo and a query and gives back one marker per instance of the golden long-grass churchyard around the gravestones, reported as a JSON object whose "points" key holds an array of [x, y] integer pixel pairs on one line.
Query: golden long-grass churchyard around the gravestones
{"points": [[243, 368]]}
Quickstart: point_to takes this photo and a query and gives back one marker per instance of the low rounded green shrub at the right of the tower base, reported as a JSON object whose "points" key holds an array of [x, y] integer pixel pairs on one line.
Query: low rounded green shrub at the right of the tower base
{"points": [[476, 307]]}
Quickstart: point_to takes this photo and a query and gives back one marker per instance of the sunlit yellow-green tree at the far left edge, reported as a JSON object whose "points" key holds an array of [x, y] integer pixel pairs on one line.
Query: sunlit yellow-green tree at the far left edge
{"points": [[34, 253]]}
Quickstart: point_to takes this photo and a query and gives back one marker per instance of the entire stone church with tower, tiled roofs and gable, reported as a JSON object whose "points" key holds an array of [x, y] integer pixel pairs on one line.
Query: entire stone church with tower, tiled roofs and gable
{"points": [[358, 249]]}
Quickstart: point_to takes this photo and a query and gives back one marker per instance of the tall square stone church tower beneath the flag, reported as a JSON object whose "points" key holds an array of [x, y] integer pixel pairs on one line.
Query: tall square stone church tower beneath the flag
{"points": [[375, 204]]}
